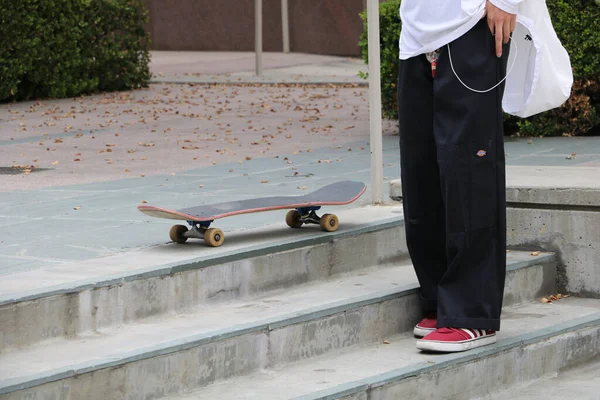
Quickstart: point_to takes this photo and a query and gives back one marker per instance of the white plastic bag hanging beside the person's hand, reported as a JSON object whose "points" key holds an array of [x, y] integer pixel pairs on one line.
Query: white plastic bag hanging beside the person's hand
{"points": [[542, 76]]}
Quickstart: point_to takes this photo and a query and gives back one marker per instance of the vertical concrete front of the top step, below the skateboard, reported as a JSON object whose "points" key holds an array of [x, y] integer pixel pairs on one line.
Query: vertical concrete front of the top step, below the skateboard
{"points": [[177, 287]]}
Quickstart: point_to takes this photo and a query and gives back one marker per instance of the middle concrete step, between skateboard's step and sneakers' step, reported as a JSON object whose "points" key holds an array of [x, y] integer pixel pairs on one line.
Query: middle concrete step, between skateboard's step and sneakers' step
{"points": [[157, 356]]}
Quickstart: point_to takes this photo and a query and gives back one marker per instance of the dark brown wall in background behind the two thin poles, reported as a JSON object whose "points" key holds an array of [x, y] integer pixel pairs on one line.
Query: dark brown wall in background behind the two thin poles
{"points": [[316, 26]]}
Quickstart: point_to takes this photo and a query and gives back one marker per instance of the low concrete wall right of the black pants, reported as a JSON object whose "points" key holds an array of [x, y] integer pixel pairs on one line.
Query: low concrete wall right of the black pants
{"points": [[566, 221]]}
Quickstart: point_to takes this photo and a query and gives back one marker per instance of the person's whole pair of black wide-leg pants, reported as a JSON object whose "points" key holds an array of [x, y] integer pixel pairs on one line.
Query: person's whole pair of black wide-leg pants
{"points": [[453, 179]]}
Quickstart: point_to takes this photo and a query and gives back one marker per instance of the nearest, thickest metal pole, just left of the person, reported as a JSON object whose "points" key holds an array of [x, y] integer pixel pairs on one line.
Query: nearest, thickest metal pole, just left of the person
{"points": [[375, 102]]}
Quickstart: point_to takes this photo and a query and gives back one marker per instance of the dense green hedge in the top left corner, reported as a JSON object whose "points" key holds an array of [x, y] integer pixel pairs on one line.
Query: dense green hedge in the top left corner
{"points": [[64, 48]]}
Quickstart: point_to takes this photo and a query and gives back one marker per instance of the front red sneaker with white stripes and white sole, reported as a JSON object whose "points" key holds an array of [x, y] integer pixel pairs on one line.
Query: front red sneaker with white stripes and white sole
{"points": [[450, 340]]}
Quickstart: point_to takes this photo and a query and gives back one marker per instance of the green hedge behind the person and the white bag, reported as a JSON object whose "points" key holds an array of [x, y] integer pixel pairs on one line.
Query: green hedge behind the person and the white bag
{"points": [[577, 24]]}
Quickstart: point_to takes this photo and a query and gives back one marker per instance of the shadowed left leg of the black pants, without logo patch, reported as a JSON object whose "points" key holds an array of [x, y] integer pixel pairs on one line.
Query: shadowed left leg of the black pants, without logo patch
{"points": [[424, 212]]}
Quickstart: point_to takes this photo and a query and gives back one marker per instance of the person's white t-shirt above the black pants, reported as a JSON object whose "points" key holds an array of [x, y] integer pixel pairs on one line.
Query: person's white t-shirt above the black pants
{"points": [[428, 25]]}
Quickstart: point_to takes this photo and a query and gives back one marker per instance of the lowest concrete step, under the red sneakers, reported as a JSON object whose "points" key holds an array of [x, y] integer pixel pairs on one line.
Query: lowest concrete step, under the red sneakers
{"points": [[536, 339]]}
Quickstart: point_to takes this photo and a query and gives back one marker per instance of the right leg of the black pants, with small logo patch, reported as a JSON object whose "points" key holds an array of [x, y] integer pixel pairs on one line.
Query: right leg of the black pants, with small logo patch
{"points": [[469, 135]]}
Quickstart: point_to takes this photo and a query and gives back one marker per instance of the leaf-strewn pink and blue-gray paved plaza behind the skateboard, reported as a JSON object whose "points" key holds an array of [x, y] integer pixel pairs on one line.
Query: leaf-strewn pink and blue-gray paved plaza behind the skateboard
{"points": [[178, 146]]}
